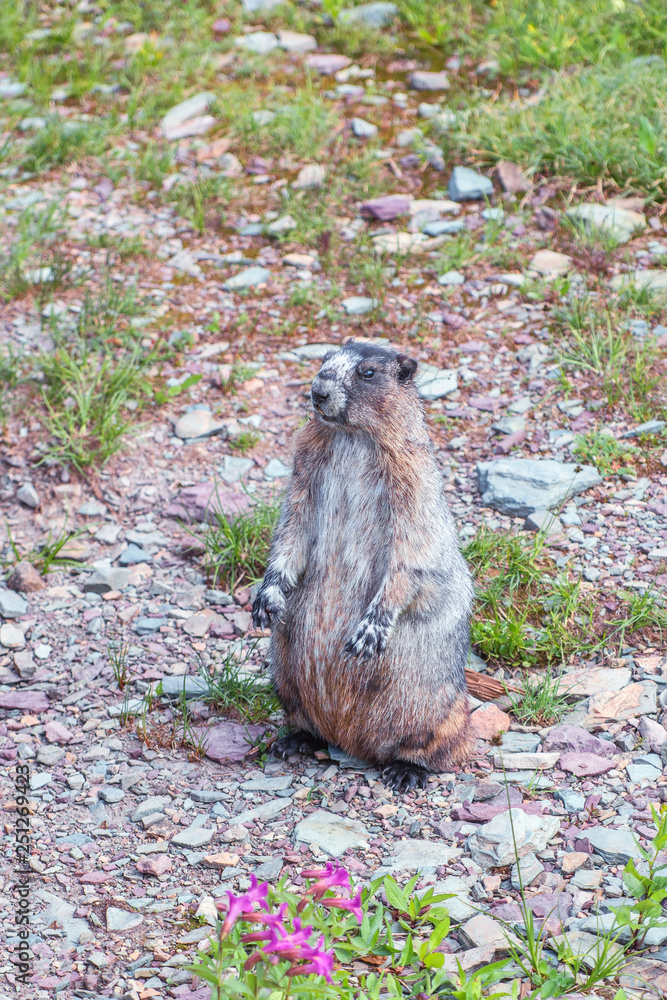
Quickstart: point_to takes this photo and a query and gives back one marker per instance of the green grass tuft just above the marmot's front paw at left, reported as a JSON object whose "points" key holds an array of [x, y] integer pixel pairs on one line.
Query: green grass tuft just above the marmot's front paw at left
{"points": [[237, 545]]}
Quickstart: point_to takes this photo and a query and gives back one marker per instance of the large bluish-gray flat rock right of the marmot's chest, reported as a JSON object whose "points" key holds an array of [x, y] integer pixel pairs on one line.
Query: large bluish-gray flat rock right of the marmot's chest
{"points": [[520, 486]]}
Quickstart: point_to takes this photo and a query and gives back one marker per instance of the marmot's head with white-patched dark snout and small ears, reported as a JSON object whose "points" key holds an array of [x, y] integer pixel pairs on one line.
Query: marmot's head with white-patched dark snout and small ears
{"points": [[360, 385]]}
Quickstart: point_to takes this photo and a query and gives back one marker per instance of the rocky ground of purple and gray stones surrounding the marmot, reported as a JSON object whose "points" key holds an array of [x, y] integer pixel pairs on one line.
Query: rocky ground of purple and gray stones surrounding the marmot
{"points": [[194, 209]]}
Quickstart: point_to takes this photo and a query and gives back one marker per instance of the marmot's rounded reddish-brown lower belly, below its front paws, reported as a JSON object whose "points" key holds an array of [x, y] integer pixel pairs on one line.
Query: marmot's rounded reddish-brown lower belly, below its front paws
{"points": [[375, 709]]}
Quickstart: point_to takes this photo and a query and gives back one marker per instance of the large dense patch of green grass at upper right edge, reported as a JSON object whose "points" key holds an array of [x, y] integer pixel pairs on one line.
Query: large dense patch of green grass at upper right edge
{"points": [[602, 123]]}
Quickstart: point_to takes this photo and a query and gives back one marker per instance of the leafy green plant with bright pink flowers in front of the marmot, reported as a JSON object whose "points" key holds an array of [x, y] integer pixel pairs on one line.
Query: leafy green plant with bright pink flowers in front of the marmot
{"points": [[275, 942]]}
